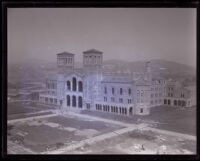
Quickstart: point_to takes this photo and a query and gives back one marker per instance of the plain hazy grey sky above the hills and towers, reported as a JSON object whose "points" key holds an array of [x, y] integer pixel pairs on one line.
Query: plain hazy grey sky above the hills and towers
{"points": [[121, 33]]}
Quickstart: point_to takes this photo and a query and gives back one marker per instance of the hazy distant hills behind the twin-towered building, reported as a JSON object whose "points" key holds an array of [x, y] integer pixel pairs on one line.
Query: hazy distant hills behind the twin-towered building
{"points": [[38, 70]]}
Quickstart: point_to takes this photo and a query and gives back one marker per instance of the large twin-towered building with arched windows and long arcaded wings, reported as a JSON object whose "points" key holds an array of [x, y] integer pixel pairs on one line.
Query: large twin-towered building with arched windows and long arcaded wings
{"points": [[89, 88]]}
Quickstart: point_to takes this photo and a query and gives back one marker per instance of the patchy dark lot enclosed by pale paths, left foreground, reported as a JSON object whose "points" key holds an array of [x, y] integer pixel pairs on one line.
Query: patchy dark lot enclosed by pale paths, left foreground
{"points": [[51, 133]]}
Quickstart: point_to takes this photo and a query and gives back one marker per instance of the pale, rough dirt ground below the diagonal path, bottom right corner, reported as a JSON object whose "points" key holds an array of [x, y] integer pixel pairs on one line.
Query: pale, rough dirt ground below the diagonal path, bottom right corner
{"points": [[140, 142]]}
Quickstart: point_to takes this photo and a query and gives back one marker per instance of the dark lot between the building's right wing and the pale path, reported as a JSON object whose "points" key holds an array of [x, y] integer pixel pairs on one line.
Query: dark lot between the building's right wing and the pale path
{"points": [[176, 119]]}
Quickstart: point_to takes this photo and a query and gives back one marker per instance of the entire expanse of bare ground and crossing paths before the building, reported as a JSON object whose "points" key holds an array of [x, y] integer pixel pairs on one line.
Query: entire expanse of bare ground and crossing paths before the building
{"points": [[33, 129]]}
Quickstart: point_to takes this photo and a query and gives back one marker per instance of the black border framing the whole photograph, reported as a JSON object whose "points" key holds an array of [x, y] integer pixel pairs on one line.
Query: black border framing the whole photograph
{"points": [[89, 4]]}
